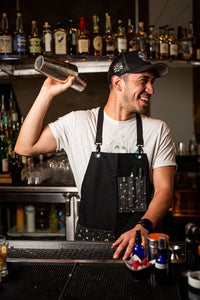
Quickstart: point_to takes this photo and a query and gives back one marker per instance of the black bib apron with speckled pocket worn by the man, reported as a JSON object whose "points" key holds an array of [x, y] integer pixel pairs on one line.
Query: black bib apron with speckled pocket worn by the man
{"points": [[116, 190]]}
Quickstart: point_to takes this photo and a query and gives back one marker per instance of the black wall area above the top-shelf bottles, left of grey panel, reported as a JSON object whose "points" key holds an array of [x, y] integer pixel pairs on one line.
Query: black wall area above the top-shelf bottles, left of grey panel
{"points": [[52, 11]]}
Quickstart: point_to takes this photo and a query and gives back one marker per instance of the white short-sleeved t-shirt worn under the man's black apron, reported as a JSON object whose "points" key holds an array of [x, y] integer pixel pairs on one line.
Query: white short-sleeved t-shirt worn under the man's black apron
{"points": [[75, 133]]}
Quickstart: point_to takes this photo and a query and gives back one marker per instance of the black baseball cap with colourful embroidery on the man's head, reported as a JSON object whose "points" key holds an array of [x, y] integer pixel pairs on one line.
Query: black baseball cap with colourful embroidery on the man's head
{"points": [[135, 62]]}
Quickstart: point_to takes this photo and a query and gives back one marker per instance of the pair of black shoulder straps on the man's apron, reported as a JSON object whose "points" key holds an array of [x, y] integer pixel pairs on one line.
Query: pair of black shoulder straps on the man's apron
{"points": [[98, 142]]}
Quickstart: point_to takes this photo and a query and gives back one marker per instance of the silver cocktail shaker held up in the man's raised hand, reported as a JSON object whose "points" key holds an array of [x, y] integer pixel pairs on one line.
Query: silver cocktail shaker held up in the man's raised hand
{"points": [[60, 70]]}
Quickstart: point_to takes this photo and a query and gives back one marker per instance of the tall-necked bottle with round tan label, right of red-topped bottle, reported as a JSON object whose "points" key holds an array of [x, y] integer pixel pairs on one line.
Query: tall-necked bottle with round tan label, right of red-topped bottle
{"points": [[96, 48]]}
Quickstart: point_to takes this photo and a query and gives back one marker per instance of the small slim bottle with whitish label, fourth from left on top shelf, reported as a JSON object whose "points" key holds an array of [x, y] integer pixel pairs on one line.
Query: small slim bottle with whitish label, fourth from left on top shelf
{"points": [[47, 41]]}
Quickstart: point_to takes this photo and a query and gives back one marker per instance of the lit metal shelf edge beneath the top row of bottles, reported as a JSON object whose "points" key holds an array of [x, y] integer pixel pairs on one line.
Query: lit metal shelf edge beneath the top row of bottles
{"points": [[12, 66]]}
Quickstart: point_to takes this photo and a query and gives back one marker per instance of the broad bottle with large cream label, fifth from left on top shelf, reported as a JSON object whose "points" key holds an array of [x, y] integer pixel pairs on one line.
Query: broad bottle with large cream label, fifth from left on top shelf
{"points": [[60, 40]]}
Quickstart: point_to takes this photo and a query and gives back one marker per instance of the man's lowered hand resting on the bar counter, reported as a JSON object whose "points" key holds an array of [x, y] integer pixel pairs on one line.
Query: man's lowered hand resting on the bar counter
{"points": [[127, 240]]}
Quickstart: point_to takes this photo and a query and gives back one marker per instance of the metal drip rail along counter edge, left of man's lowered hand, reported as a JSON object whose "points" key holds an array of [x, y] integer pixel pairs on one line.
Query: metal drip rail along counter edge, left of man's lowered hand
{"points": [[55, 251]]}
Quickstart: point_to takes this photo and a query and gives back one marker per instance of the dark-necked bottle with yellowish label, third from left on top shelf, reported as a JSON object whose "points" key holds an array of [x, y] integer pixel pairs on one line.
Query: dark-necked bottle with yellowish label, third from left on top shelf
{"points": [[34, 40]]}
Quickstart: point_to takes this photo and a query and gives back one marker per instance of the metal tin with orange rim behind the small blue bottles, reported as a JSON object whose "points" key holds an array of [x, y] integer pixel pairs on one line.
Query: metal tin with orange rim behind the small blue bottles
{"points": [[152, 244]]}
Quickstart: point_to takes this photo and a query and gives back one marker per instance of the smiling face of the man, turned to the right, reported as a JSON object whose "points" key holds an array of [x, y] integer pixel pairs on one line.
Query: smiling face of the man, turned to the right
{"points": [[137, 91]]}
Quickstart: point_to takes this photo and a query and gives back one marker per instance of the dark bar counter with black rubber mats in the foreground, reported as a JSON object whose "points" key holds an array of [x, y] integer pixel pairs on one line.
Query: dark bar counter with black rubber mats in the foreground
{"points": [[82, 270]]}
